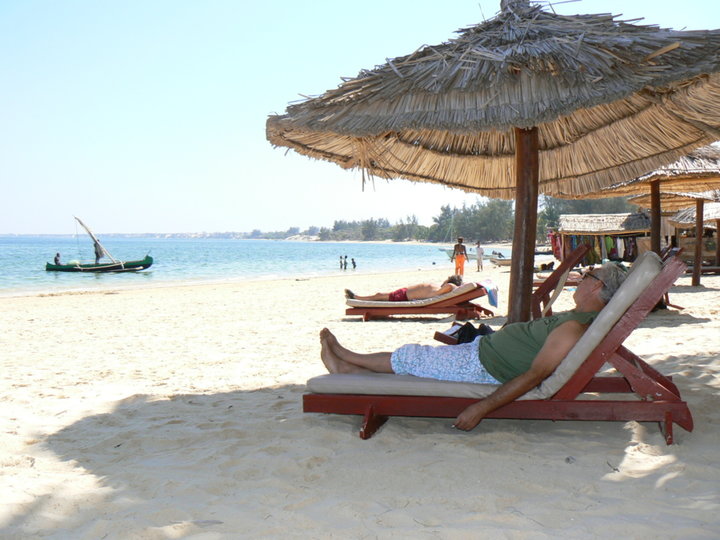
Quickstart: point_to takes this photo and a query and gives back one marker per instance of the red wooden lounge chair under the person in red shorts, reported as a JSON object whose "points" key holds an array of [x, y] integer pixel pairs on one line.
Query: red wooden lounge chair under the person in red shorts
{"points": [[457, 302]]}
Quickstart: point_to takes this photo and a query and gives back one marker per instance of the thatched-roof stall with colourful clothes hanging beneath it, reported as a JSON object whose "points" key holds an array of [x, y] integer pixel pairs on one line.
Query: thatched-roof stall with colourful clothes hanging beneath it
{"points": [[620, 237]]}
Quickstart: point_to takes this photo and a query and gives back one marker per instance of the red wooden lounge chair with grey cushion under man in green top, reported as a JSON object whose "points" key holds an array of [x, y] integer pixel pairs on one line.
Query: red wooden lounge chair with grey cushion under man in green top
{"points": [[648, 395]]}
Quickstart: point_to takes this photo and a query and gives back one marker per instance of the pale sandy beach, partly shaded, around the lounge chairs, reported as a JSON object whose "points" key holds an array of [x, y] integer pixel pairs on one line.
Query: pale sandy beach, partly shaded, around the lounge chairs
{"points": [[176, 413]]}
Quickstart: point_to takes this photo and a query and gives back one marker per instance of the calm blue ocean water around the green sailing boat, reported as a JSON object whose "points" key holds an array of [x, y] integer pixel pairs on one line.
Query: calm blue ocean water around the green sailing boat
{"points": [[192, 260]]}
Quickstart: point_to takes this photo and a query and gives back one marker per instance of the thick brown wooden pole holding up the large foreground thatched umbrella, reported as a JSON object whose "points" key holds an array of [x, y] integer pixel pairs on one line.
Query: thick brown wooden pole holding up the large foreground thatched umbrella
{"points": [[523, 249]]}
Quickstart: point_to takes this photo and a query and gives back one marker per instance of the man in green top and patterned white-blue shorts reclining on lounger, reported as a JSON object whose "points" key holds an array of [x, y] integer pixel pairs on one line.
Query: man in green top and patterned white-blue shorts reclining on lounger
{"points": [[518, 357]]}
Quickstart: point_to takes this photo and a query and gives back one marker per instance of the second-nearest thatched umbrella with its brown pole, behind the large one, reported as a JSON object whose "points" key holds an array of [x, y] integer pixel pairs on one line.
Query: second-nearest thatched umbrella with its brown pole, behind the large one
{"points": [[696, 172]]}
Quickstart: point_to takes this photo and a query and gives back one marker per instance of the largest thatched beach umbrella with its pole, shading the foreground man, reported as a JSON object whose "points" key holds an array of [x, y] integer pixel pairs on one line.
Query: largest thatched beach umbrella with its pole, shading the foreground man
{"points": [[527, 101]]}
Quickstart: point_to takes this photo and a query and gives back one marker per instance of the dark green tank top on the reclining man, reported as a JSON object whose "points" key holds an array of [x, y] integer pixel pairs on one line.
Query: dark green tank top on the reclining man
{"points": [[510, 351]]}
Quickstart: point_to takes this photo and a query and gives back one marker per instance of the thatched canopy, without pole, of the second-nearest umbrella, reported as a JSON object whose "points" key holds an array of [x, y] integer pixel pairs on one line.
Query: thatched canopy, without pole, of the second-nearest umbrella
{"points": [[698, 171]]}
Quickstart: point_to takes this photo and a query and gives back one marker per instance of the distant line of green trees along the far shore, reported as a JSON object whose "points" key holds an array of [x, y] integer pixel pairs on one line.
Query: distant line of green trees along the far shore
{"points": [[489, 220]]}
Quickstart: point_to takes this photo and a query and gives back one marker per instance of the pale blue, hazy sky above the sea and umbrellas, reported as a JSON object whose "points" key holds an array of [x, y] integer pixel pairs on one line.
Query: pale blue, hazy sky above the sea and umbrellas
{"points": [[149, 115]]}
